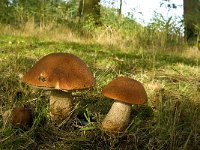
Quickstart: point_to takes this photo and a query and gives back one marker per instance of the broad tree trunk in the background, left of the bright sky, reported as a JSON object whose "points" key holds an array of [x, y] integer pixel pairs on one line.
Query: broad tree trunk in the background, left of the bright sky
{"points": [[89, 9]]}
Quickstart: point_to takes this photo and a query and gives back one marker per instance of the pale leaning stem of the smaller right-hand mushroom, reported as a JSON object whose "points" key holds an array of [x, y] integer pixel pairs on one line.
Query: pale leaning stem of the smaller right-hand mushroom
{"points": [[117, 118]]}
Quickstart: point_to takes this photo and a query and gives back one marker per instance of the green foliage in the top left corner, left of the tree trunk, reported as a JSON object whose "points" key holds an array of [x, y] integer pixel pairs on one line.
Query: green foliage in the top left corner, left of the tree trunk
{"points": [[40, 11]]}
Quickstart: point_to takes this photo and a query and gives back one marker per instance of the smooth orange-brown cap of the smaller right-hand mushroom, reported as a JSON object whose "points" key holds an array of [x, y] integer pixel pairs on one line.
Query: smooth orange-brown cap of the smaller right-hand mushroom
{"points": [[125, 90]]}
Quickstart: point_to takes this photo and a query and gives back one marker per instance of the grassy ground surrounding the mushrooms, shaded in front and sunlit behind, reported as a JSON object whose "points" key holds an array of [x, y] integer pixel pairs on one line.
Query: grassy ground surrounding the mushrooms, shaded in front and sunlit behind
{"points": [[171, 79]]}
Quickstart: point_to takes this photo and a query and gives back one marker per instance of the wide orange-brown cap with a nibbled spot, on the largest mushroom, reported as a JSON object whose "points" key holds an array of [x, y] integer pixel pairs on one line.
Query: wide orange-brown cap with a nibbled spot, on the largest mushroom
{"points": [[60, 71]]}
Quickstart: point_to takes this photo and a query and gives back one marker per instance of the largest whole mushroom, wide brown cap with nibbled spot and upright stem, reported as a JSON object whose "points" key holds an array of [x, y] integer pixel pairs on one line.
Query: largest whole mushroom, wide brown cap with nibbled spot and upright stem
{"points": [[61, 73]]}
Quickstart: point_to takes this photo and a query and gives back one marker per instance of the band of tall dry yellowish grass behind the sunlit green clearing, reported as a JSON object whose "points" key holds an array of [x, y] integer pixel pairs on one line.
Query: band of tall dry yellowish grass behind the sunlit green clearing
{"points": [[124, 39]]}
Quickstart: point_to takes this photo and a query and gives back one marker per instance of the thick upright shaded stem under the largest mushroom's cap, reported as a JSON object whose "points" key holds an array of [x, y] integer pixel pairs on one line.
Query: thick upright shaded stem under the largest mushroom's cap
{"points": [[60, 104]]}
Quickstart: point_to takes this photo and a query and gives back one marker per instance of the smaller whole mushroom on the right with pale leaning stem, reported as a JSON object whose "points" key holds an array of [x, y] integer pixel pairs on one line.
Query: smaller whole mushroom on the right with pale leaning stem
{"points": [[125, 91]]}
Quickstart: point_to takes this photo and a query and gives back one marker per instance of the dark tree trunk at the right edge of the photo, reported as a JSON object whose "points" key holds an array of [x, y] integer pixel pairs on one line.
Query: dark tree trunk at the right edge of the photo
{"points": [[191, 19]]}
